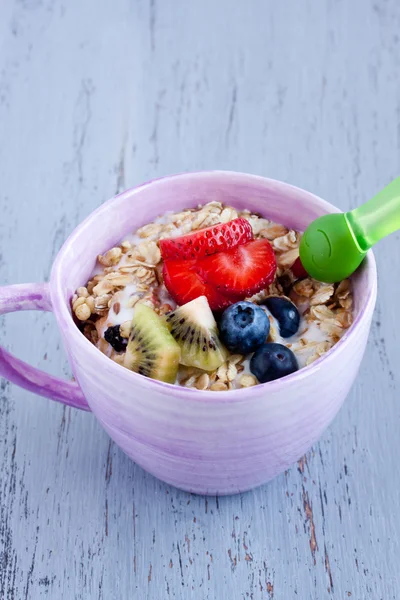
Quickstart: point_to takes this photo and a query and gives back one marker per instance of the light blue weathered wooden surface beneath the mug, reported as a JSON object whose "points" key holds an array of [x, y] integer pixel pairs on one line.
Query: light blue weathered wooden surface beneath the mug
{"points": [[98, 96]]}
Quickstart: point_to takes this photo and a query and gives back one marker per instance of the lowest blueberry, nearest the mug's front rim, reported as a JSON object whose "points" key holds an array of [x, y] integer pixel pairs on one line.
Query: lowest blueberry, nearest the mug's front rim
{"points": [[273, 361]]}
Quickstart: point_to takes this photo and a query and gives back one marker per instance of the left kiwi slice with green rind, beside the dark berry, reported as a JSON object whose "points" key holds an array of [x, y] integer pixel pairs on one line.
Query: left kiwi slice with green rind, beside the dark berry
{"points": [[151, 350]]}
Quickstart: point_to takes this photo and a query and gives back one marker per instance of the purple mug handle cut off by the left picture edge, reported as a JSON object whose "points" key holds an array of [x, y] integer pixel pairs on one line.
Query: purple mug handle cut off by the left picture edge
{"points": [[34, 296]]}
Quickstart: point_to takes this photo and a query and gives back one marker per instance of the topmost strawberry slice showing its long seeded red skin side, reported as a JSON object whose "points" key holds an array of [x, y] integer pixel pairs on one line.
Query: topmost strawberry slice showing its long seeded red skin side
{"points": [[205, 242]]}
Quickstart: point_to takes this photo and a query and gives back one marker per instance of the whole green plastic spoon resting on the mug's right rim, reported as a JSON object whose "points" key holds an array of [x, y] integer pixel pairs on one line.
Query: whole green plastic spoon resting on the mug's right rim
{"points": [[333, 246]]}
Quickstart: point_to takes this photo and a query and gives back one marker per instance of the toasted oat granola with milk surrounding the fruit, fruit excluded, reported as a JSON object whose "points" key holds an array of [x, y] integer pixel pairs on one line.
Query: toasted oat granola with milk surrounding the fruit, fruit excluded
{"points": [[130, 274]]}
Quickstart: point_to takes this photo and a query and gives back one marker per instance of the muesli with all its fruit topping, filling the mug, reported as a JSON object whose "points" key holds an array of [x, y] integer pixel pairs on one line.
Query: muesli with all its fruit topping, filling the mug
{"points": [[211, 298]]}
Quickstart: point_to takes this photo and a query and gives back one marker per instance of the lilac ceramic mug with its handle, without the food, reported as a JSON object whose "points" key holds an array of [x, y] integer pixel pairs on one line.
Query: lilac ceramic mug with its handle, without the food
{"points": [[200, 441]]}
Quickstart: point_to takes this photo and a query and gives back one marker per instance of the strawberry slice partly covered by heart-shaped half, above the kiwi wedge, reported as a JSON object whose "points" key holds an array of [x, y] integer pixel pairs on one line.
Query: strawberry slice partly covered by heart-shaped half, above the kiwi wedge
{"points": [[182, 280]]}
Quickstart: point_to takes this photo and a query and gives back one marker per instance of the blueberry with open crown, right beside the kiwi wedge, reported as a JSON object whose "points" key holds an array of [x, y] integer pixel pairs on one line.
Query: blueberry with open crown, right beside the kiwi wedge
{"points": [[244, 327]]}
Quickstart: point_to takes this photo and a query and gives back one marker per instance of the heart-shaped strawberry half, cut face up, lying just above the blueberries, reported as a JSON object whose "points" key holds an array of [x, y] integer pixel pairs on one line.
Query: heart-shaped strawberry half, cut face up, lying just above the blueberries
{"points": [[242, 271]]}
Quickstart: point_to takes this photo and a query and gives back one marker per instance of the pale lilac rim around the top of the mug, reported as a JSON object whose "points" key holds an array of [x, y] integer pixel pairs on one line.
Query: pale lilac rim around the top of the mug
{"points": [[64, 317]]}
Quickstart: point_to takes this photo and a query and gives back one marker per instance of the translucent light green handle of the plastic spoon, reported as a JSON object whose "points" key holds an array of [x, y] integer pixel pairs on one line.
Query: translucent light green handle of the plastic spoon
{"points": [[377, 218]]}
